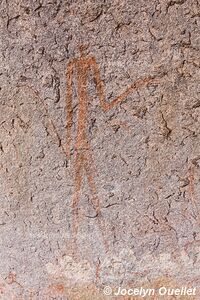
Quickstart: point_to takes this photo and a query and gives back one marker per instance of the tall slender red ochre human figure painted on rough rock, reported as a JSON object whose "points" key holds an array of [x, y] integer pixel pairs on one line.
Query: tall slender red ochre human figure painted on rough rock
{"points": [[81, 68]]}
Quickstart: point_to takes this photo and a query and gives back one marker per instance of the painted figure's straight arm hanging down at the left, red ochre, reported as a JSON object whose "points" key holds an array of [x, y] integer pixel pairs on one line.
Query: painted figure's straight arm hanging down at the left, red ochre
{"points": [[69, 108]]}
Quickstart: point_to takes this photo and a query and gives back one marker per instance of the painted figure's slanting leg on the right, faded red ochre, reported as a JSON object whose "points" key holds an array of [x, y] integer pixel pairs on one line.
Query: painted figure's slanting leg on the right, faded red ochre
{"points": [[90, 173]]}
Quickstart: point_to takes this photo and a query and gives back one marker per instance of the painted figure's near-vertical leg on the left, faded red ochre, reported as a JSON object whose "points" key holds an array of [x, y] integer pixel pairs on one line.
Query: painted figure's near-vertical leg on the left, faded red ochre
{"points": [[78, 179]]}
